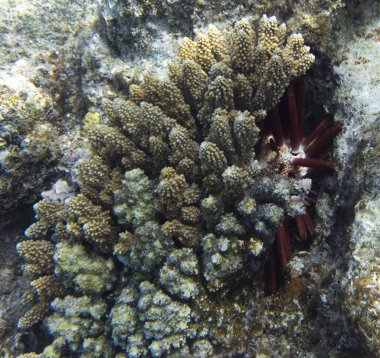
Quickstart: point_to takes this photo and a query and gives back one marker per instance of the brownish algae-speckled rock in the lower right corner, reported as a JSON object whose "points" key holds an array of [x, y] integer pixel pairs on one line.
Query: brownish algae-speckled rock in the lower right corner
{"points": [[362, 286]]}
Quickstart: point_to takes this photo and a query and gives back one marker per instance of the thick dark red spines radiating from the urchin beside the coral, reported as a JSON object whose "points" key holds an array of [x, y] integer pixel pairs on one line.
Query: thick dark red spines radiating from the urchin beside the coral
{"points": [[317, 152]]}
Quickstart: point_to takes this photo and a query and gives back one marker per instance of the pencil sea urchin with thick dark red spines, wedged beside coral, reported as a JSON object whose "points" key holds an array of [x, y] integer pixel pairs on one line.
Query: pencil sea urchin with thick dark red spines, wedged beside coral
{"points": [[296, 157]]}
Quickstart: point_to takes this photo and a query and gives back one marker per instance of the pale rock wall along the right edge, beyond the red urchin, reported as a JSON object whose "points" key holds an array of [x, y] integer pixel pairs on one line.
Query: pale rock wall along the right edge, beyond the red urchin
{"points": [[358, 153]]}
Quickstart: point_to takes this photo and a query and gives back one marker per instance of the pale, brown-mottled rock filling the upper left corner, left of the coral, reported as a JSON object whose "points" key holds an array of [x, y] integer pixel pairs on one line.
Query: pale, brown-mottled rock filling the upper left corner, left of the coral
{"points": [[33, 81]]}
